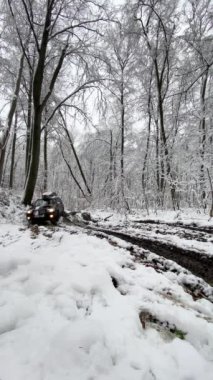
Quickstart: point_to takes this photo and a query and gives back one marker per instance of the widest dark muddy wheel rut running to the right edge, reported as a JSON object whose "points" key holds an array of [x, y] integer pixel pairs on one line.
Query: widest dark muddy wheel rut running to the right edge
{"points": [[200, 265]]}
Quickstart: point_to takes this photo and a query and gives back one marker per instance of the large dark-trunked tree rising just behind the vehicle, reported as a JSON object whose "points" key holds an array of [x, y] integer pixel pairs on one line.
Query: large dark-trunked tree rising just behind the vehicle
{"points": [[55, 37]]}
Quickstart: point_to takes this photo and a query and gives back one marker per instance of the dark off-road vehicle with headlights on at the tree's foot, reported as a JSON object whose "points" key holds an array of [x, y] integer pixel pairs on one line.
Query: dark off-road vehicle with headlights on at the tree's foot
{"points": [[49, 207]]}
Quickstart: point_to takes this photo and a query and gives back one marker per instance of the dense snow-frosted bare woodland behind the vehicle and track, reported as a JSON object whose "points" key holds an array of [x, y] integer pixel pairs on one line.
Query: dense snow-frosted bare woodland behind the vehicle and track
{"points": [[109, 105]]}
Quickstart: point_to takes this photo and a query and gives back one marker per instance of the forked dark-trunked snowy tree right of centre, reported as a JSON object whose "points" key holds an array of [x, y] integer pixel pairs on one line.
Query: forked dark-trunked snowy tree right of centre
{"points": [[156, 23]]}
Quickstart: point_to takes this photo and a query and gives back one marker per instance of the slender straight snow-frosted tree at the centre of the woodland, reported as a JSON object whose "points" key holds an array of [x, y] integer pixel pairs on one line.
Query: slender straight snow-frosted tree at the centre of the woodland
{"points": [[120, 62]]}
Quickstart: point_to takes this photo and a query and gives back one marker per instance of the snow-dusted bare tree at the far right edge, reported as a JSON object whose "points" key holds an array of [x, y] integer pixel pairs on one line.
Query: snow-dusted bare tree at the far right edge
{"points": [[200, 49]]}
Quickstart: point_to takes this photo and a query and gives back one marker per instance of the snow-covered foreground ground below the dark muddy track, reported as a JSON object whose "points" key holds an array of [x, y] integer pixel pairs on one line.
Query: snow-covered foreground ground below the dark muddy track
{"points": [[70, 306]]}
